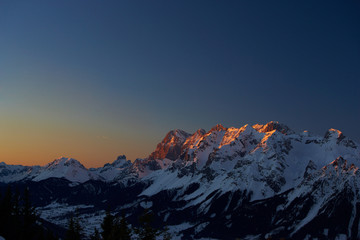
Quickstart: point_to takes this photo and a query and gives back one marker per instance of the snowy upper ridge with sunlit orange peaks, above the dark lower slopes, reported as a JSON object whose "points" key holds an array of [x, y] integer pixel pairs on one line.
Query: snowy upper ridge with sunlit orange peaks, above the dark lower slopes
{"points": [[271, 156]]}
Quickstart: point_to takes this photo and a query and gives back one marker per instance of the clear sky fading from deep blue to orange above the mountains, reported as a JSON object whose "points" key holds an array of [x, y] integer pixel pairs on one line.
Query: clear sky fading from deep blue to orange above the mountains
{"points": [[95, 79]]}
